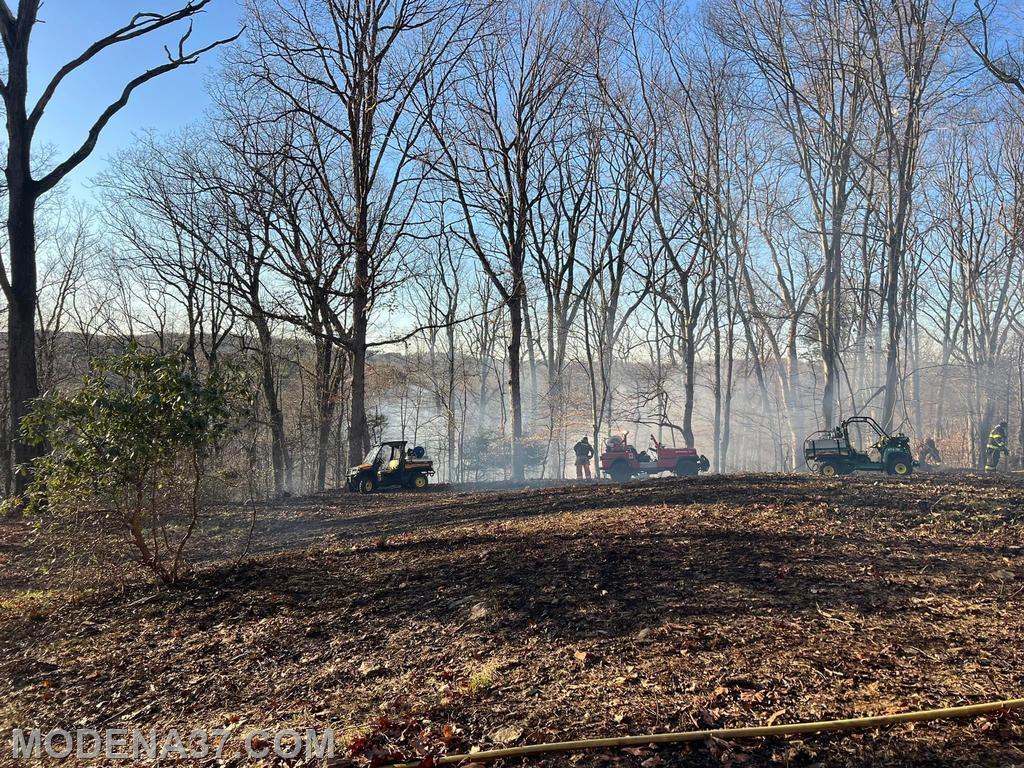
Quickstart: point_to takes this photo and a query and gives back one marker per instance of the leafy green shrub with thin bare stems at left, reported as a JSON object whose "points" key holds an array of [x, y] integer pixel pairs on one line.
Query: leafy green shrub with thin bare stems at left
{"points": [[133, 447]]}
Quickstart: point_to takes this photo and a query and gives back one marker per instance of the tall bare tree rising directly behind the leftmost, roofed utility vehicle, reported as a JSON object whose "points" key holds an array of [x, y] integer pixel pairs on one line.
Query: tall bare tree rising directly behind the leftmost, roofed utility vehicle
{"points": [[356, 70]]}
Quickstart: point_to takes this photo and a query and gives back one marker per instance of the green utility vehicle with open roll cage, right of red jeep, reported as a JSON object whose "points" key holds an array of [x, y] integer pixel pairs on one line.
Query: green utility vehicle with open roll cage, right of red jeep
{"points": [[832, 453]]}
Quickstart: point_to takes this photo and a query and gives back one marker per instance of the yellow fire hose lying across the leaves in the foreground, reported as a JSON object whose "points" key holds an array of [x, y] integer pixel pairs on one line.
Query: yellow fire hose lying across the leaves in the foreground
{"points": [[729, 734]]}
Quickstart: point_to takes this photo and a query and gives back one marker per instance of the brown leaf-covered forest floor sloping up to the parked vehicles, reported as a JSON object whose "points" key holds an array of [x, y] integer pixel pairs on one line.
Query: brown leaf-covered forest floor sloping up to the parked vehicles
{"points": [[439, 622]]}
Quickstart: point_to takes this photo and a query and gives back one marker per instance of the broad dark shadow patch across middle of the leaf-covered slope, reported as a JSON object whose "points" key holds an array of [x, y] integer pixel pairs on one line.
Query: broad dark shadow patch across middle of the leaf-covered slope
{"points": [[578, 585]]}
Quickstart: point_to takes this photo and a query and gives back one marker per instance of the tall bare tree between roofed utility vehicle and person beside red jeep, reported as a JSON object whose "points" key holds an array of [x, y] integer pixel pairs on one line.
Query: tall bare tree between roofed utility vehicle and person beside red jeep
{"points": [[513, 92]]}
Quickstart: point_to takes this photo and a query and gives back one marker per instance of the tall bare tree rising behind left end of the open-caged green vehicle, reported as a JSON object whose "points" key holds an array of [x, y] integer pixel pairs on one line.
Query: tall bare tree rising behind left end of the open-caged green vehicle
{"points": [[809, 58]]}
